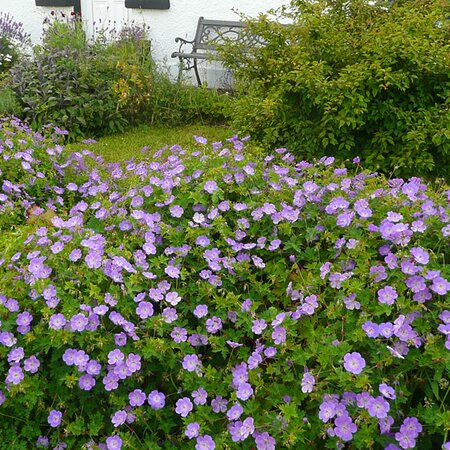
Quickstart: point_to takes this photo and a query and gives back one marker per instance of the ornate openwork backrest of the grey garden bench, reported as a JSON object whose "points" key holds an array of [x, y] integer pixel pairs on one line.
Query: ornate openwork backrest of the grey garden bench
{"points": [[211, 33]]}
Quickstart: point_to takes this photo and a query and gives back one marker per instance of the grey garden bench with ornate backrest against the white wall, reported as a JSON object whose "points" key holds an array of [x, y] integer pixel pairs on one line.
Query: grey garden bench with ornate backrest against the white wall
{"points": [[209, 36]]}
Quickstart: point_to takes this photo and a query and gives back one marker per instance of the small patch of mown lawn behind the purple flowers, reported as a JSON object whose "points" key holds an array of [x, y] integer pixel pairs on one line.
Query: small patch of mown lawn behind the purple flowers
{"points": [[124, 146]]}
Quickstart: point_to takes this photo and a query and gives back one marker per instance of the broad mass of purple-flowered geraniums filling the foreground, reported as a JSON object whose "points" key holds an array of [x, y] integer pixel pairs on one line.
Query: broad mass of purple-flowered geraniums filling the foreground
{"points": [[225, 300]]}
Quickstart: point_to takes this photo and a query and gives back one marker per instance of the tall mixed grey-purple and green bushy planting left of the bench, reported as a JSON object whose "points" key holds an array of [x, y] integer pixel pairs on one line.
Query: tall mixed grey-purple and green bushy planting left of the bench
{"points": [[85, 87]]}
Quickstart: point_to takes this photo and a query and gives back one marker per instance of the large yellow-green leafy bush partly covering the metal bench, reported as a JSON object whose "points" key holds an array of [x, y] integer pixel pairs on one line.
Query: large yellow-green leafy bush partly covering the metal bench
{"points": [[351, 77]]}
